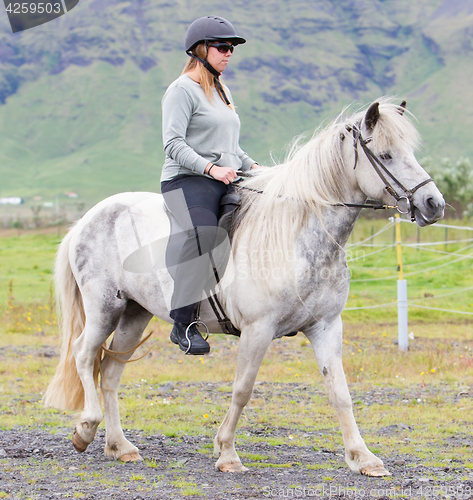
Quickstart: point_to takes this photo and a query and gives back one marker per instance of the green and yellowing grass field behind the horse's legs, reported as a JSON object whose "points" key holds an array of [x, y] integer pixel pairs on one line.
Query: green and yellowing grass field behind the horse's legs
{"points": [[436, 373]]}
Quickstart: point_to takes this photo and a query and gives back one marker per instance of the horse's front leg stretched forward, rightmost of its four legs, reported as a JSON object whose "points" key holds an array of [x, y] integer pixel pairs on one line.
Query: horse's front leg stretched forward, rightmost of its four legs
{"points": [[326, 341]]}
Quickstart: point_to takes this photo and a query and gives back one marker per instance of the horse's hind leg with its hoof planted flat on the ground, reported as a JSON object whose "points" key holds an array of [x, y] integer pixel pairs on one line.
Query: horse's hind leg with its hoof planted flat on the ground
{"points": [[127, 335]]}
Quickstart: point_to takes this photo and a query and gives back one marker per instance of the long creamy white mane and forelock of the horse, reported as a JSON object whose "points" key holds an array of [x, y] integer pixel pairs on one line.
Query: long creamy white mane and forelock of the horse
{"points": [[312, 178]]}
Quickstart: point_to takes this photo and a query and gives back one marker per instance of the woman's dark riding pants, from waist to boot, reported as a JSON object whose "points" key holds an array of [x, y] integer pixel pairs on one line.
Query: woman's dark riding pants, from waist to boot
{"points": [[194, 202]]}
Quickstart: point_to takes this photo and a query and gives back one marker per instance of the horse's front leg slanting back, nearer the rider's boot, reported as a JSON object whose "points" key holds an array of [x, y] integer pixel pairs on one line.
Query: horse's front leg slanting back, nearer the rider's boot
{"points": [[254, 342]]}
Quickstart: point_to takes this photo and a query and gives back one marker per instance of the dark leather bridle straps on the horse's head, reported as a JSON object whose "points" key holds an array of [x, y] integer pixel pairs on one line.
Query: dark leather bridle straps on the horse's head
{"points": [[383, 173]]}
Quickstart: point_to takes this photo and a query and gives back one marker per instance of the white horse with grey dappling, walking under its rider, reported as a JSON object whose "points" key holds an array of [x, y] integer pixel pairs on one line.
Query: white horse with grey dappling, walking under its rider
{"points": [[287, 273]]}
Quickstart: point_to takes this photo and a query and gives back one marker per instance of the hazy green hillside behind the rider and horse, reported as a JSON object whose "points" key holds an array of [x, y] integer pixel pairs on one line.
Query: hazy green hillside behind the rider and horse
{"points": [[80, 96]]}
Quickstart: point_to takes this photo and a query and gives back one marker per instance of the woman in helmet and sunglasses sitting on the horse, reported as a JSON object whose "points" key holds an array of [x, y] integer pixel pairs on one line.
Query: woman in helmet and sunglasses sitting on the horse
{"points": [[200, 133]]}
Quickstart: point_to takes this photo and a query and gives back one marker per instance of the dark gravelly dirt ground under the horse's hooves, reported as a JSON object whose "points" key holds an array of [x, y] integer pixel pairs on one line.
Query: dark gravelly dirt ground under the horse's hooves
{"points": [[44, 465]]}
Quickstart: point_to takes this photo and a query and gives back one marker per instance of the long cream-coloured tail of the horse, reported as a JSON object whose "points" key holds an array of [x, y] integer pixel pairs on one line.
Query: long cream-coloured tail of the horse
{"points": [[65, 391]]}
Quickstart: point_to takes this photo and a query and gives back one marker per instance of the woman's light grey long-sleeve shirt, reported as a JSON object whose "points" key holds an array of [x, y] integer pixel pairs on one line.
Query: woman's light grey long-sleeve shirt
{"points": [[197, 131]]}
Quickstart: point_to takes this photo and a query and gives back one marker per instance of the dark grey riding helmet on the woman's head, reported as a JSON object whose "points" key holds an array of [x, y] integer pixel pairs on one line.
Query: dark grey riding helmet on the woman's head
{"points": [[210, 28]]}
